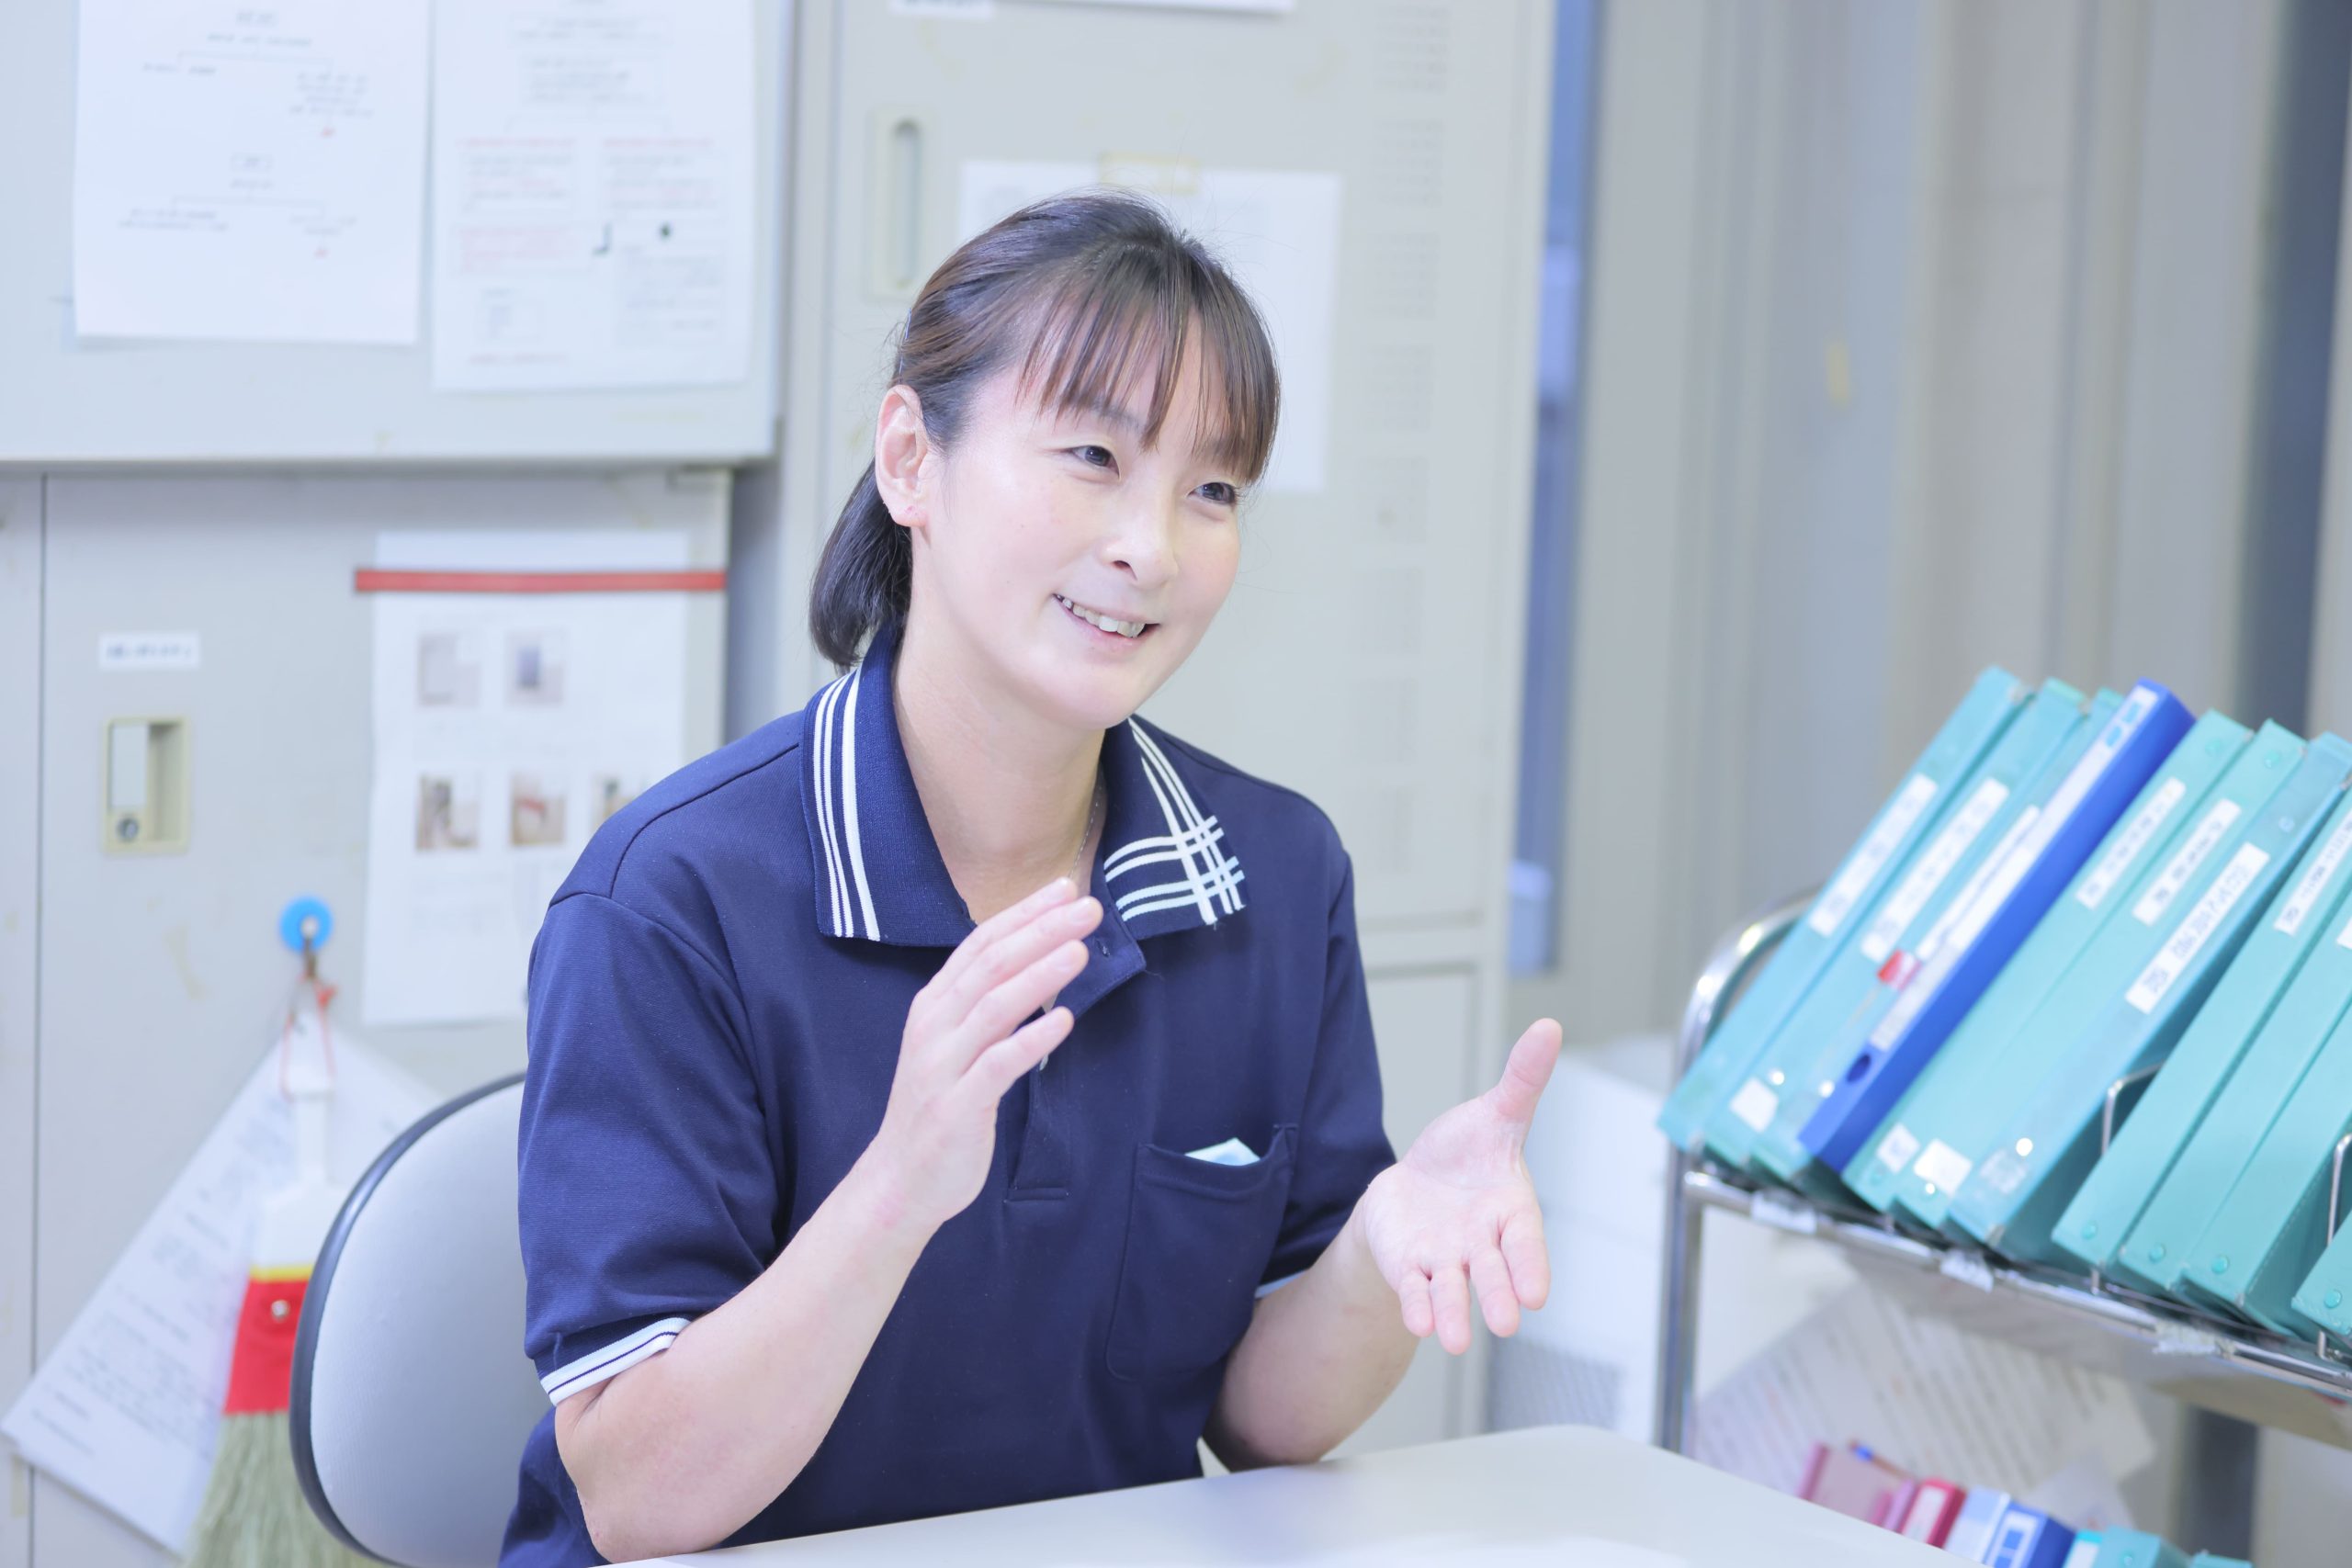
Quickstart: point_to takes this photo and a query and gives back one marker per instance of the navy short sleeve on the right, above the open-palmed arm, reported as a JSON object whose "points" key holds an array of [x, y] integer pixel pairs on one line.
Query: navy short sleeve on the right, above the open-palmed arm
{"points": [[1342, 1144]]}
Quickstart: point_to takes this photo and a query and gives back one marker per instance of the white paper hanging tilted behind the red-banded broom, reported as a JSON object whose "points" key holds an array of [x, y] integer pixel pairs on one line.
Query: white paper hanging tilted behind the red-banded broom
{"points": [[128, 1407]]}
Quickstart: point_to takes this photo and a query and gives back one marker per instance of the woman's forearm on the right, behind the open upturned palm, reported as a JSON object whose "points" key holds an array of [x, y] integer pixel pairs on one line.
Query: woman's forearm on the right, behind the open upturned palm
{"points": [[1318, 1360]]}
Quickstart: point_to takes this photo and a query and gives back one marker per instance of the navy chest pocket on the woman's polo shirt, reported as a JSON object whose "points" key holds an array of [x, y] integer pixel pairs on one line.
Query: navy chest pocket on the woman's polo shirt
{"points": [[1198, 1238]]}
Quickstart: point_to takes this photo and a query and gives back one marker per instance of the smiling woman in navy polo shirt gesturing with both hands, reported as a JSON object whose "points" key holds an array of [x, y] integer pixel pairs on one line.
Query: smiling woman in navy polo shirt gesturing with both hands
{"points": [[963, 1092]]}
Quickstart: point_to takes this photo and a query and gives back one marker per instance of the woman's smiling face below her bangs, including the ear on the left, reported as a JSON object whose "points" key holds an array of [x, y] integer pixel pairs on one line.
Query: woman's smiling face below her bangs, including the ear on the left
{"points": [[1071, 563]]}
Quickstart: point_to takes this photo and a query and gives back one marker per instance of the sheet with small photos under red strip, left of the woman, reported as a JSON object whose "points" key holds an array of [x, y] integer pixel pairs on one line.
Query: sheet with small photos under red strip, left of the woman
{"points": [[509, 728]]}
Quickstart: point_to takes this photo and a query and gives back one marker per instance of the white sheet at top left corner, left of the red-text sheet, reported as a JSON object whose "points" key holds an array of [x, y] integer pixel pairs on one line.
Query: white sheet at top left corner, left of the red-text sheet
{"points": [[250, 173]]}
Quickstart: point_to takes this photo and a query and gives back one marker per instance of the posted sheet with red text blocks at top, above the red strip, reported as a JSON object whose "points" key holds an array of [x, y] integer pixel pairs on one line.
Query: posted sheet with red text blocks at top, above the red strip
{"points": [[592, 194]]}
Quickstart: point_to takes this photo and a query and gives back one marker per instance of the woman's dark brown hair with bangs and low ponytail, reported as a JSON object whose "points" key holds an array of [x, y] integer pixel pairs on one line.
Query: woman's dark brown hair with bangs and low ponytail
{"points": [[1093, 295]]}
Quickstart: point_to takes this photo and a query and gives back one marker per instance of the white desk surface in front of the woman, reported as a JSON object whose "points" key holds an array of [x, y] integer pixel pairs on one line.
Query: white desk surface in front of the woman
{"points": [[1556, 1496]]}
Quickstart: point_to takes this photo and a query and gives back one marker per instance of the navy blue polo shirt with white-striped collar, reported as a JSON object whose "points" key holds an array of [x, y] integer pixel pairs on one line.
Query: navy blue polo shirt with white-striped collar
{"points": [[716, 1007]]}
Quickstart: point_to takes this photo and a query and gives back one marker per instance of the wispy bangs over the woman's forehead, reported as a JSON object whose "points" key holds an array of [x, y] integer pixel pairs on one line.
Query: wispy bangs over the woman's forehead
{"points": [[1118, 335]]}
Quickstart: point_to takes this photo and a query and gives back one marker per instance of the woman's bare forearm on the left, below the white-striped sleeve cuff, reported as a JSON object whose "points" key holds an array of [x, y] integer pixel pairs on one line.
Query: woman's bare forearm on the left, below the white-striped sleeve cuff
{"points": [[683, 1449]]}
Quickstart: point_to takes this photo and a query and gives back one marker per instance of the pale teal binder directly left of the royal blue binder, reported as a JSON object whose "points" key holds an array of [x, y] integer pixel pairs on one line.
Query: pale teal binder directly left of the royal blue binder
{"points": [[1815, 1052]]}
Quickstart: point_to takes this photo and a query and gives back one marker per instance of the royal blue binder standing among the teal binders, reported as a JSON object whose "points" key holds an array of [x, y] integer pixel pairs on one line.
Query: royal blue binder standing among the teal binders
{"points": [[2029, 880]]}
